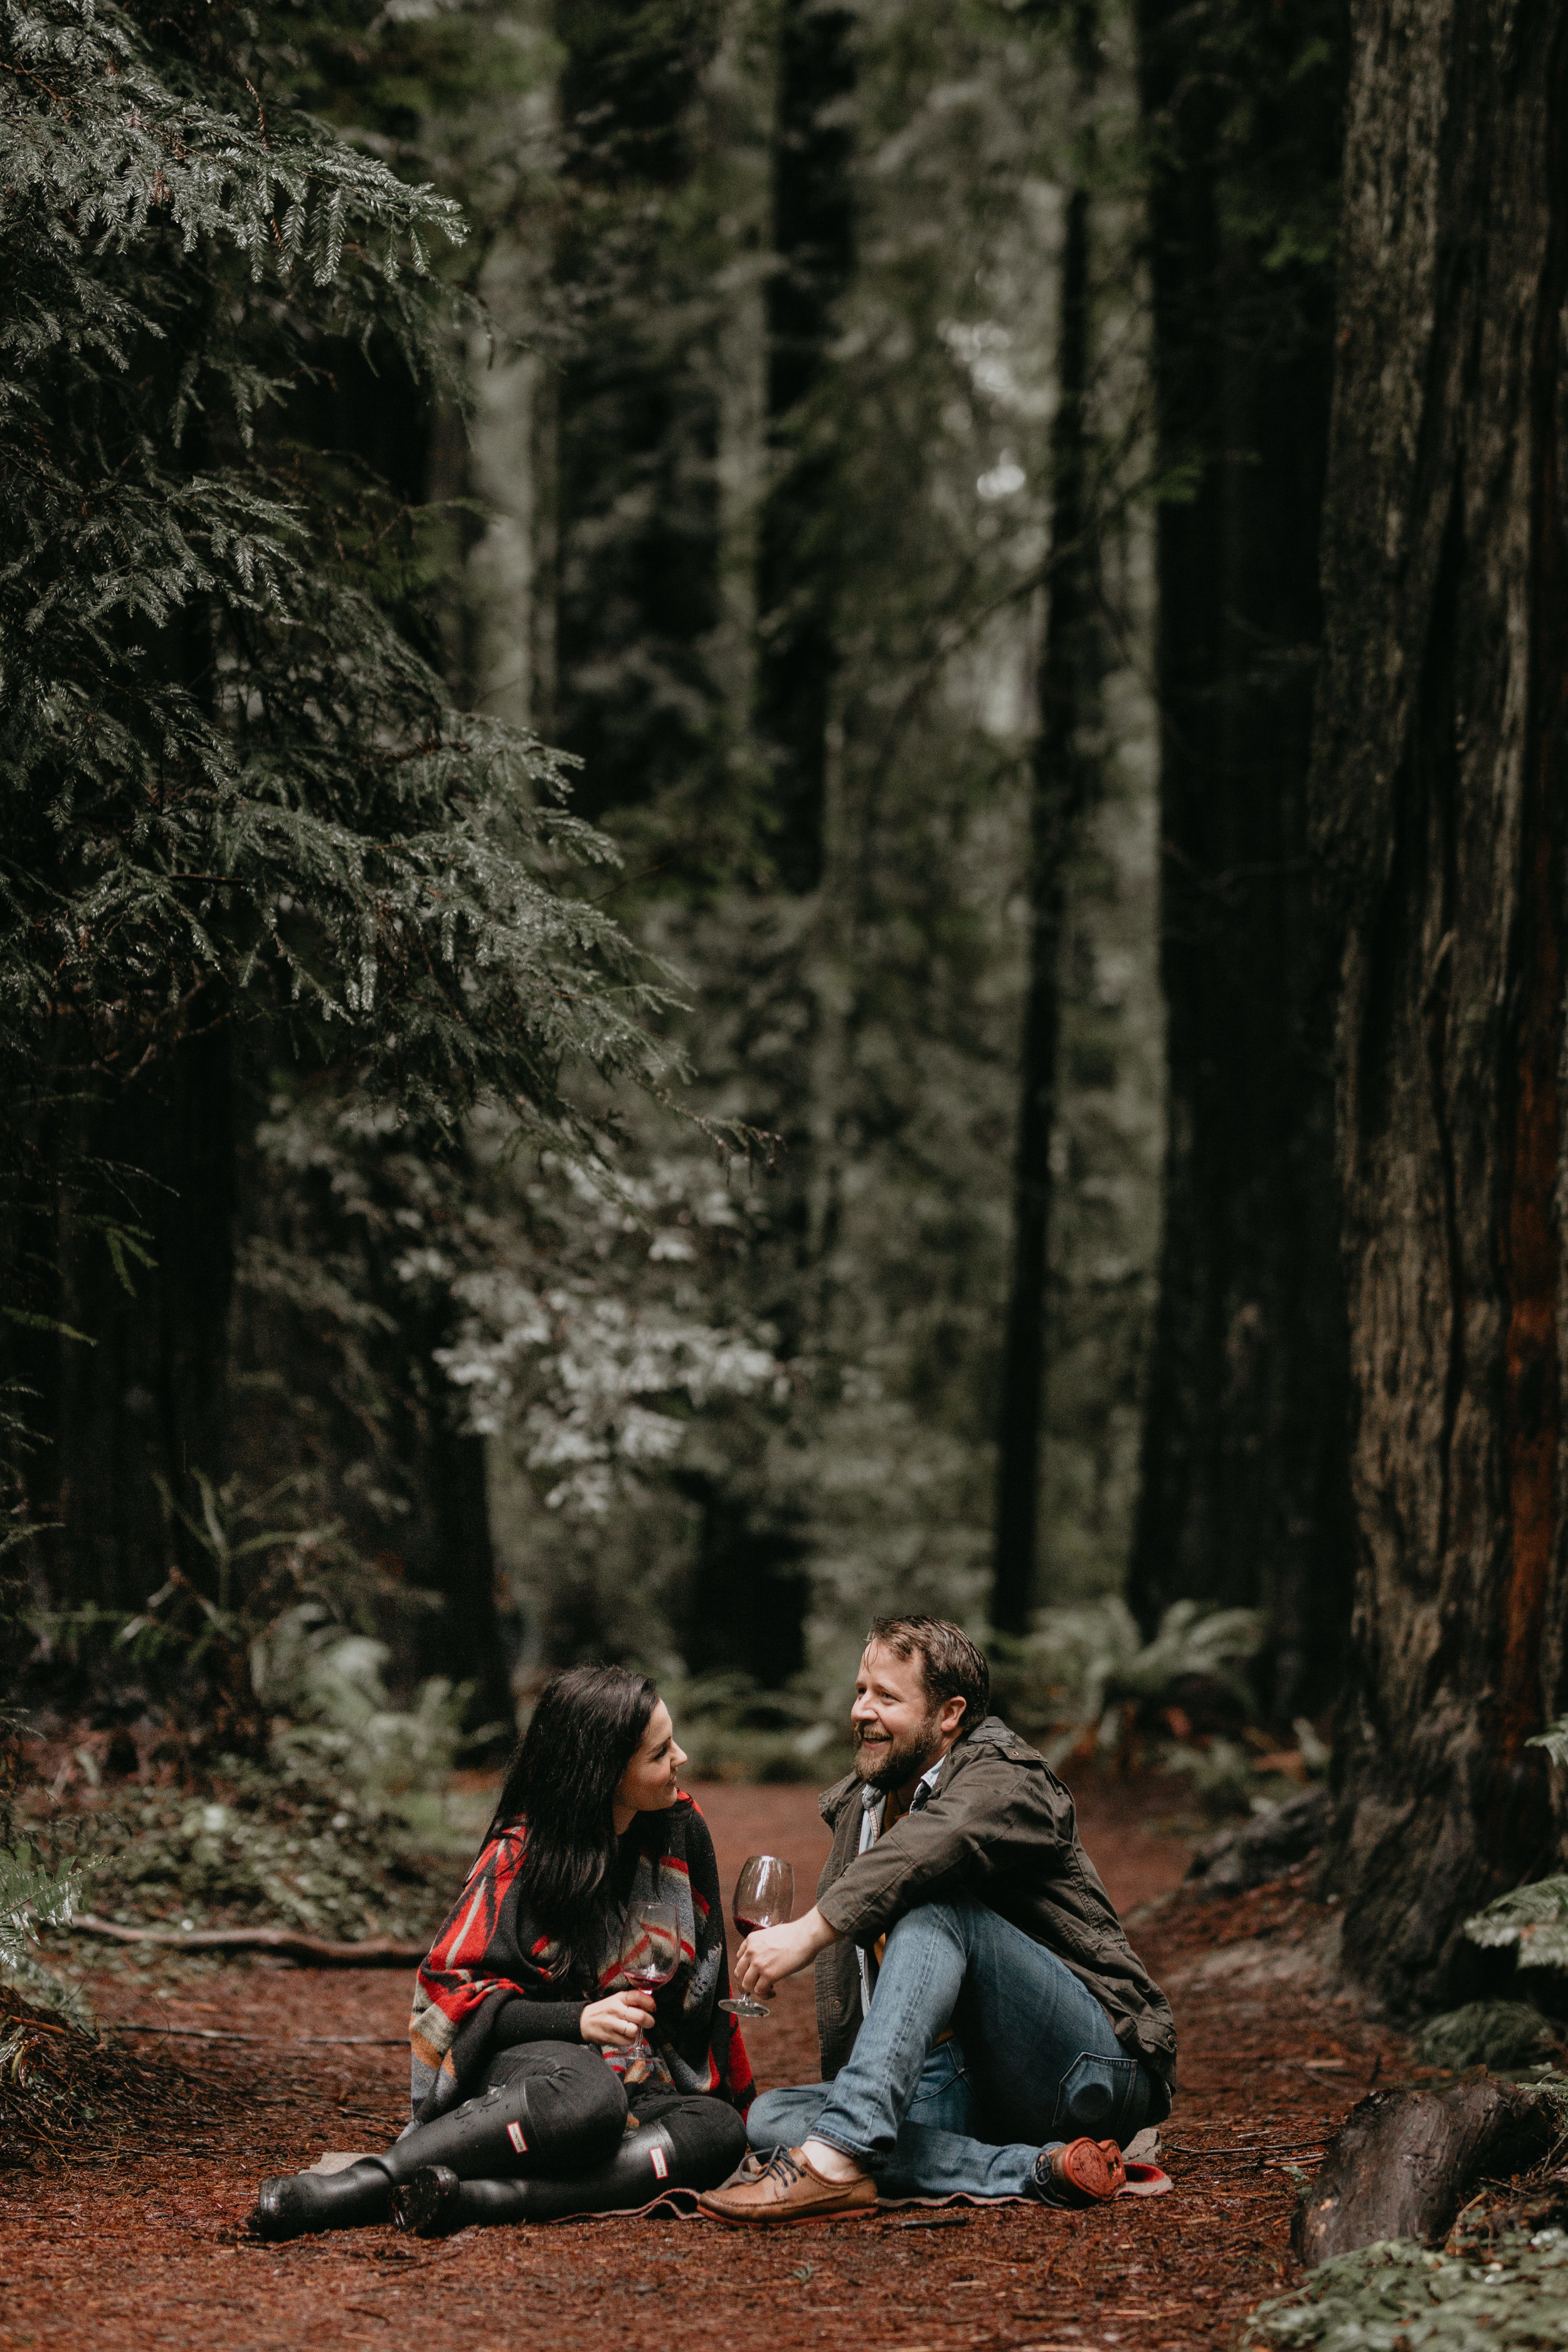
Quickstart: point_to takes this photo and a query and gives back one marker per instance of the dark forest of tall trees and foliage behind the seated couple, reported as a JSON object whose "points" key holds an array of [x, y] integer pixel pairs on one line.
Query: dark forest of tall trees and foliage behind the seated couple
{"points": [[979, 1116]]}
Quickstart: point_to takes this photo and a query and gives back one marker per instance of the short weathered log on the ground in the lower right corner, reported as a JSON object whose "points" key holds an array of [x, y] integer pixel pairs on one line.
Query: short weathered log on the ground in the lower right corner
{"points": [[1402, 2163]]}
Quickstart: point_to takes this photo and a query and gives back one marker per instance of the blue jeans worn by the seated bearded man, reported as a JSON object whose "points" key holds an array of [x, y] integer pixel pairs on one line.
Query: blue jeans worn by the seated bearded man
{"points": [[1033, 2062]]}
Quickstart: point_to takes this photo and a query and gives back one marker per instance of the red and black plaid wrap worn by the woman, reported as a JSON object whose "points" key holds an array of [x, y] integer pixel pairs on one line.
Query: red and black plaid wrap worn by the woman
{"points": [[488, 1956]]}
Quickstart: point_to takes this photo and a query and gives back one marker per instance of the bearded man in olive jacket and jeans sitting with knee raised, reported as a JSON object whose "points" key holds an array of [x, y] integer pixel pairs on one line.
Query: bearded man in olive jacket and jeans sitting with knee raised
{"points": [[986, 2026]]}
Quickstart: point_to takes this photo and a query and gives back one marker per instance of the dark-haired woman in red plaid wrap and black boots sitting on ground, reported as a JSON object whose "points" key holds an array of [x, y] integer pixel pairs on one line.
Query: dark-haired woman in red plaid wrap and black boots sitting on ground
{"points": [[528, 2094]]}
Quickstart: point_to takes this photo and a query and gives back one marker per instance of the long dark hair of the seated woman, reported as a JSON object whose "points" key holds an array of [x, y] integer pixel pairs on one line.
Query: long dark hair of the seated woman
{"points": [[563, 1782]]}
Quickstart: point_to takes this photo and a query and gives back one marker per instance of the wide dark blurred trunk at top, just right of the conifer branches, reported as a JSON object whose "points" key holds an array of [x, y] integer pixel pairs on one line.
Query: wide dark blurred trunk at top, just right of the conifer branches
{"points": [[636, 410]]}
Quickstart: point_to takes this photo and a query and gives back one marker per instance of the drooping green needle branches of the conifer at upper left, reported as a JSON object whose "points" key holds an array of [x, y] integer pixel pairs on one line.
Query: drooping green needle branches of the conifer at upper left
{"points": [[229, 787]]}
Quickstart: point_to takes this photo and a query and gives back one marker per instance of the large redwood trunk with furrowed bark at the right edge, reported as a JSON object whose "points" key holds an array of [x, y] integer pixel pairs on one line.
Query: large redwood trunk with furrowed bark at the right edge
{"points": [[1440, 808]]}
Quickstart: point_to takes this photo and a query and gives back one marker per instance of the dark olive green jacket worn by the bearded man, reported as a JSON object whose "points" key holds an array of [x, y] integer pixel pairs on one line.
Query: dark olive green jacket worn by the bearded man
{"points": [[998, 1829]]}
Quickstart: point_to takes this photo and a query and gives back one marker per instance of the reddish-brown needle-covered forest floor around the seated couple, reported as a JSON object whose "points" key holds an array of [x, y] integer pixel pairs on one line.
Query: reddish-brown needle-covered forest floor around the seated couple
{"points": [[128, 2247]]}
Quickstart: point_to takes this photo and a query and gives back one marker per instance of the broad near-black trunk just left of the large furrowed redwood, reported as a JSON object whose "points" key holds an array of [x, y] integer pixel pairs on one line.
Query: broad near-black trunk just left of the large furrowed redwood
{"points": [[1245, 1492]]}
